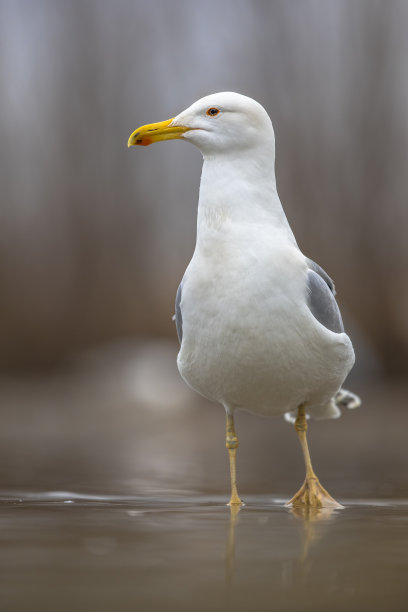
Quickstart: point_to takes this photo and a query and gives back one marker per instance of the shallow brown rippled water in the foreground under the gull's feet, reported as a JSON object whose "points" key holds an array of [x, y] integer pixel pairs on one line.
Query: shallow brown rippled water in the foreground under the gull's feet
{"points": [[66, 551]]}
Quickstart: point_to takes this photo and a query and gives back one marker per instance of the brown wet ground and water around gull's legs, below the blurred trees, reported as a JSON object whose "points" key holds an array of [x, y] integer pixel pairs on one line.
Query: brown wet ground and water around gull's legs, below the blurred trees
{"points": [[142, 523]]}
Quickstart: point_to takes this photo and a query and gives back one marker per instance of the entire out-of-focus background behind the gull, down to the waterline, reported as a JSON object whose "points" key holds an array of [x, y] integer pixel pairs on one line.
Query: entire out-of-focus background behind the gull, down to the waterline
{"points": [[94, 238]]}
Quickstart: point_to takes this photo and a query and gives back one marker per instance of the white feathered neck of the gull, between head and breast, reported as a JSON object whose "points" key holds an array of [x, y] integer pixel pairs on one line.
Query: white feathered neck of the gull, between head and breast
{"points": [[240, 189]]}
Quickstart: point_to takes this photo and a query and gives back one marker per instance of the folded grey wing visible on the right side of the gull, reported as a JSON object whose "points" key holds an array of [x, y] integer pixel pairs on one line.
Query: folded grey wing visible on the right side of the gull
{"points": [[321, 300]]}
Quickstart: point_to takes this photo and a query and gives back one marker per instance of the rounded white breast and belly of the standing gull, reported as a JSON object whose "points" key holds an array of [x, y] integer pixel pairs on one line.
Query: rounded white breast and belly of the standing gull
{"points": [[249, 339]]}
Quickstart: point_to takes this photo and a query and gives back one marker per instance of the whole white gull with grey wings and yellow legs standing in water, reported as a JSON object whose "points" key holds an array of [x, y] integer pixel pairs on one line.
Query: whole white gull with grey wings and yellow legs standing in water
{"points": [[258, 323]]}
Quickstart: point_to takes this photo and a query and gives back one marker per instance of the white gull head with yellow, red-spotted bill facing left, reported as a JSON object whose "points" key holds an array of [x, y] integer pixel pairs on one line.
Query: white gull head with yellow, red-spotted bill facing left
{"points": [[220, 123]]}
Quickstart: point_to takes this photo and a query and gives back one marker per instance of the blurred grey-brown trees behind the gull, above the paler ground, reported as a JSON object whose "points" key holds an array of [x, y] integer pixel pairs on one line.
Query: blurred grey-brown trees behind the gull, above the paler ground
{"points": [[94, 239]]}
